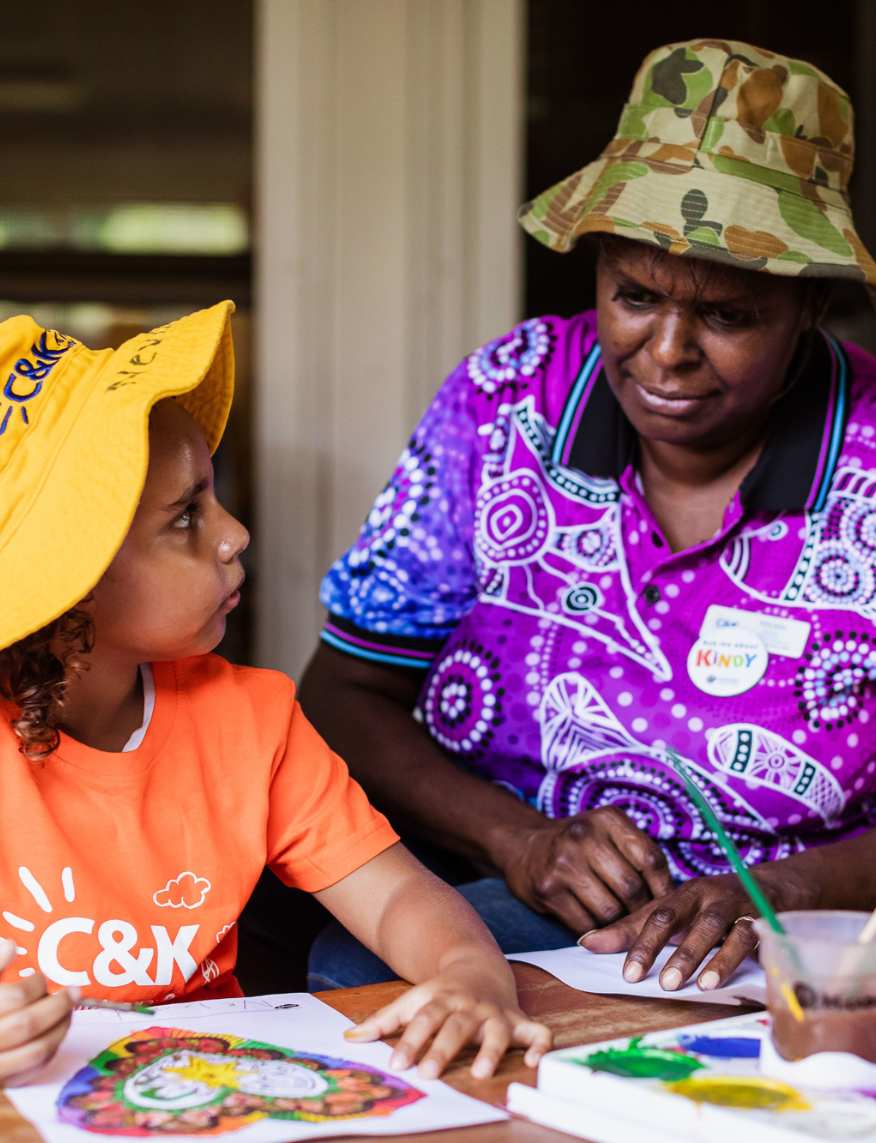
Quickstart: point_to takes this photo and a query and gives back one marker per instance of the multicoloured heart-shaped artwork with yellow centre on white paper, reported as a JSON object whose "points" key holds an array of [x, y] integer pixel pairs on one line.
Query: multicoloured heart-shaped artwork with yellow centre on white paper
{"points": [[170, 1082]]}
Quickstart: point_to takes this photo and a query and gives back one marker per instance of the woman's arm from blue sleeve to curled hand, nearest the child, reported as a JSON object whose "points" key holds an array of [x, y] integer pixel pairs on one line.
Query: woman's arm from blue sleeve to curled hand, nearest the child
{"points": [[585, 870]]}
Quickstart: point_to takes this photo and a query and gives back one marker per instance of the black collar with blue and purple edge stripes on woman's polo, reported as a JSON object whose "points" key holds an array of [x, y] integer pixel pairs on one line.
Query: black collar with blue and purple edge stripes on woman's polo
{"points": [[797, 467]]}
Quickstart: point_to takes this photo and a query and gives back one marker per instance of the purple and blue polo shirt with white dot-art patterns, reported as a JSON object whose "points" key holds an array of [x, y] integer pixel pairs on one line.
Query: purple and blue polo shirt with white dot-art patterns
{"points": [[514, 559]]}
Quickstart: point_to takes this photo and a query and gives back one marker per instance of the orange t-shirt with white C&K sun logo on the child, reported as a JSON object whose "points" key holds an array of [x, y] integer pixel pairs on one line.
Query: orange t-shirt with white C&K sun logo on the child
{"points": [[125, 873]]}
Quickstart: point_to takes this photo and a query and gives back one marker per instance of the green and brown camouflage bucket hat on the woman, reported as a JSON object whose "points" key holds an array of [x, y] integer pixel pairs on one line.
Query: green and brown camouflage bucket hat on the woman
{"points": [[724, 153]]}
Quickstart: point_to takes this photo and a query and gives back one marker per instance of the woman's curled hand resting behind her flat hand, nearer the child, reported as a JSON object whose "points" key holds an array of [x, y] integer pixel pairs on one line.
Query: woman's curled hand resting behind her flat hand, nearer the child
{"points": [[588, 870]]}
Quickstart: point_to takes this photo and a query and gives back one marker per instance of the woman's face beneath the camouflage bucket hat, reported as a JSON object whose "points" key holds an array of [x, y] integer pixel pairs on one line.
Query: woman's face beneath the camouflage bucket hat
{"points": [[696, 353]]}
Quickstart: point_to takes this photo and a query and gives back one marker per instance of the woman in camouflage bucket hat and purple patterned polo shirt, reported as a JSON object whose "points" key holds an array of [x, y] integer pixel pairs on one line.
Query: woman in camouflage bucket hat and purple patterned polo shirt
{"points": [[577, 499]]}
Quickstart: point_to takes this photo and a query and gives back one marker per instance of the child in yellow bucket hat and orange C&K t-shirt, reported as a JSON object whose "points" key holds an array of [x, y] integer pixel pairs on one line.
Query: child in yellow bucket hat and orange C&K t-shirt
{"points": [[147, 782]]}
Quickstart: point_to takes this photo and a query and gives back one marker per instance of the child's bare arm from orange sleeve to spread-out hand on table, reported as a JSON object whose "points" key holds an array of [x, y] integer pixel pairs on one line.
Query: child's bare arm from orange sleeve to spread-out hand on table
{"points": [[465, 990]]}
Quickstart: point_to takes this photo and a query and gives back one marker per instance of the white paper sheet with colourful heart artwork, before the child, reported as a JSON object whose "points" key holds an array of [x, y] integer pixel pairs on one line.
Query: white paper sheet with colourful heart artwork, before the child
{"points": [[264, 1069]]}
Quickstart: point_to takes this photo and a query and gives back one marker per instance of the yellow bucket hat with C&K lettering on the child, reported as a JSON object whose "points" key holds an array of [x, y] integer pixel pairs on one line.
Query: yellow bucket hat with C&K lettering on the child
{"points": [[75, 449]]}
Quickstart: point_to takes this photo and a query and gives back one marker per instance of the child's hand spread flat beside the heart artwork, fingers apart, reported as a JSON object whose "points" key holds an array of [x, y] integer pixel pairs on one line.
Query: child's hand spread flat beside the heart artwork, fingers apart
{"points": [[460, 1006]]}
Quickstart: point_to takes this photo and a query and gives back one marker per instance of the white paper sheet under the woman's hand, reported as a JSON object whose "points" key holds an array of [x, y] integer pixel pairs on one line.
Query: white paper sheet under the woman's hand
{"points": [[592, 972]]}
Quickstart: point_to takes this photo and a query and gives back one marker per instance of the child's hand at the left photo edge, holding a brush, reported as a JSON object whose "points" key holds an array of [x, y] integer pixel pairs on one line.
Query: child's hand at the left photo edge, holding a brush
{"points": [[33, 1024]]}
